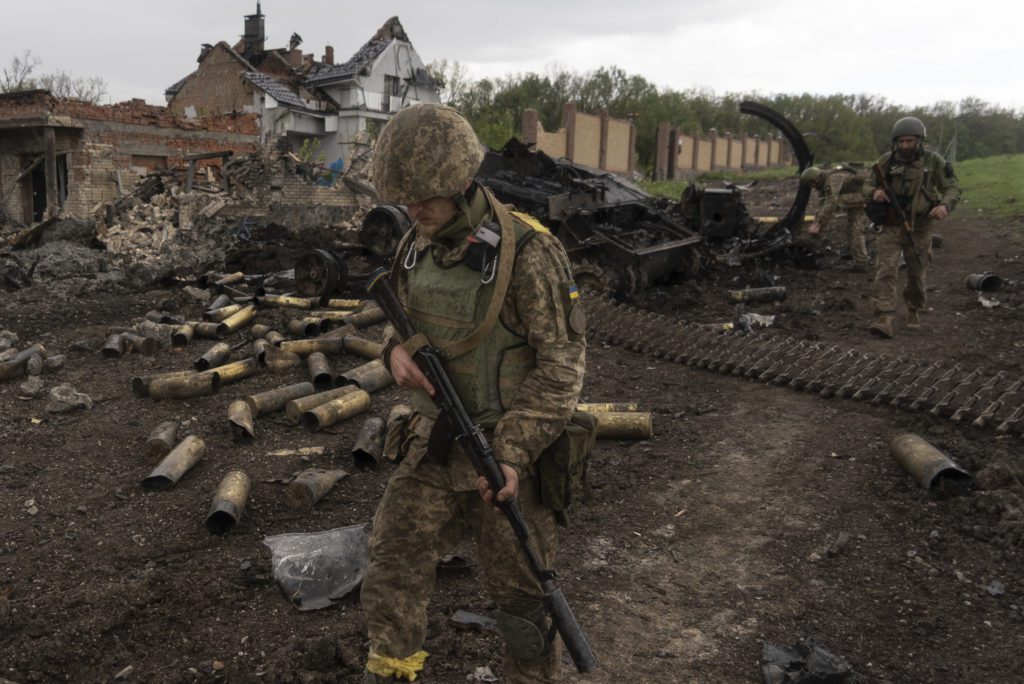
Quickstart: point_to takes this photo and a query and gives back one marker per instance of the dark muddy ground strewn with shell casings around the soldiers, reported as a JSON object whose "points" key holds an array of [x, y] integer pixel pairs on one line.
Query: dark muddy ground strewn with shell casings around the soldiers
{"points": [[722, 533]]}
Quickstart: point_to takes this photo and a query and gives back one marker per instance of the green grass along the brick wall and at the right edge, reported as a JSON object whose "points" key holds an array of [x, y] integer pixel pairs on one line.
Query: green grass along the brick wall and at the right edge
{"points": [[994, 186]]}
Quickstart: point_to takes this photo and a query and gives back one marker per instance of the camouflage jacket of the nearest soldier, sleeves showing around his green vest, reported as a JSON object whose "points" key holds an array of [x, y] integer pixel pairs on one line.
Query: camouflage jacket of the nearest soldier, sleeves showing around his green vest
{"points": [[535, 310]]}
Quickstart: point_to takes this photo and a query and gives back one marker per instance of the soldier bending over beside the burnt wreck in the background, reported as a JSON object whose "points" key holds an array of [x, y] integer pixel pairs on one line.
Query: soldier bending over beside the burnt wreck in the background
{"points": [[841, 189]]}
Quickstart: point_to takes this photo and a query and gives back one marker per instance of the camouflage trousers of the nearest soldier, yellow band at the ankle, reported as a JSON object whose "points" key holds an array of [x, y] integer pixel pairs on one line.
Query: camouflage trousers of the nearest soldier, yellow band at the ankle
{"points": [[419, 521]]}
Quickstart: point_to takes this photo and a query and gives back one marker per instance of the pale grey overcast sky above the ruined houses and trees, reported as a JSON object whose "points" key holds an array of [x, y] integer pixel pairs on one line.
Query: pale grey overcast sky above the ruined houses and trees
{"points": [[910, 52]]}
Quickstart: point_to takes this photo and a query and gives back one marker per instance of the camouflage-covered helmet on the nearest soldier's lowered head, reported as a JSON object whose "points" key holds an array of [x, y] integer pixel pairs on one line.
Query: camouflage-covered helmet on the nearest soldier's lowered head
{"points": [[426, 151]]}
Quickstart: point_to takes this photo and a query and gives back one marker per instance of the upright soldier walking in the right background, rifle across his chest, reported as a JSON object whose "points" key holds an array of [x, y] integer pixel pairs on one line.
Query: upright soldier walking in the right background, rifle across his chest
{"points": [[924, 190]]}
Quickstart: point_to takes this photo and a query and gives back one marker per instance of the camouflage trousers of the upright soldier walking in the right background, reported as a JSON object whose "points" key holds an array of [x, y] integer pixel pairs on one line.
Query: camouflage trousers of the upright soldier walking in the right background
{"points": [[891, 243]]}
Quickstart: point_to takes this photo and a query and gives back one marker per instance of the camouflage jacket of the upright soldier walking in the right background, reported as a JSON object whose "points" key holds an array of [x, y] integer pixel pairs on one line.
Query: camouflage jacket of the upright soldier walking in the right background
{"points": [[921, 185]]}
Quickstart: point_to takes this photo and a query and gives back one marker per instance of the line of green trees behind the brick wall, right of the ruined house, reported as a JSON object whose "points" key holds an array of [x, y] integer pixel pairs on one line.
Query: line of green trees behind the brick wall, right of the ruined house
{"points": [[837, 127]]}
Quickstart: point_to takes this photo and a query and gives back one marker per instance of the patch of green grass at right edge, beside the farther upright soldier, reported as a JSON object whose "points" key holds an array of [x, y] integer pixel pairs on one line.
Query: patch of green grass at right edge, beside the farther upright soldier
{"points": [[994, 186]]}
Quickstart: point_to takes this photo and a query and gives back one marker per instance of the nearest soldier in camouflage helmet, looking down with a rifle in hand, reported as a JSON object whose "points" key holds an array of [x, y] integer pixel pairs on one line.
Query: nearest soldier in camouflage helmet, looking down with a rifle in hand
{"points": [[494, 291]]}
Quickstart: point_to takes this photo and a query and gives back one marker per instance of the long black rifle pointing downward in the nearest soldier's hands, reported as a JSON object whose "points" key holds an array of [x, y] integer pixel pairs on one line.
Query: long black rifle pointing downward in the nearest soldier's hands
{"points": [[472, 437]]}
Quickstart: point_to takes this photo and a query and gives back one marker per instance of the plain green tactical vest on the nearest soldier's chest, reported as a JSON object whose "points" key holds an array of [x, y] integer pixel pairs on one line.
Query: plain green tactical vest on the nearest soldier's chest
{"points": [[449, 304]]}
